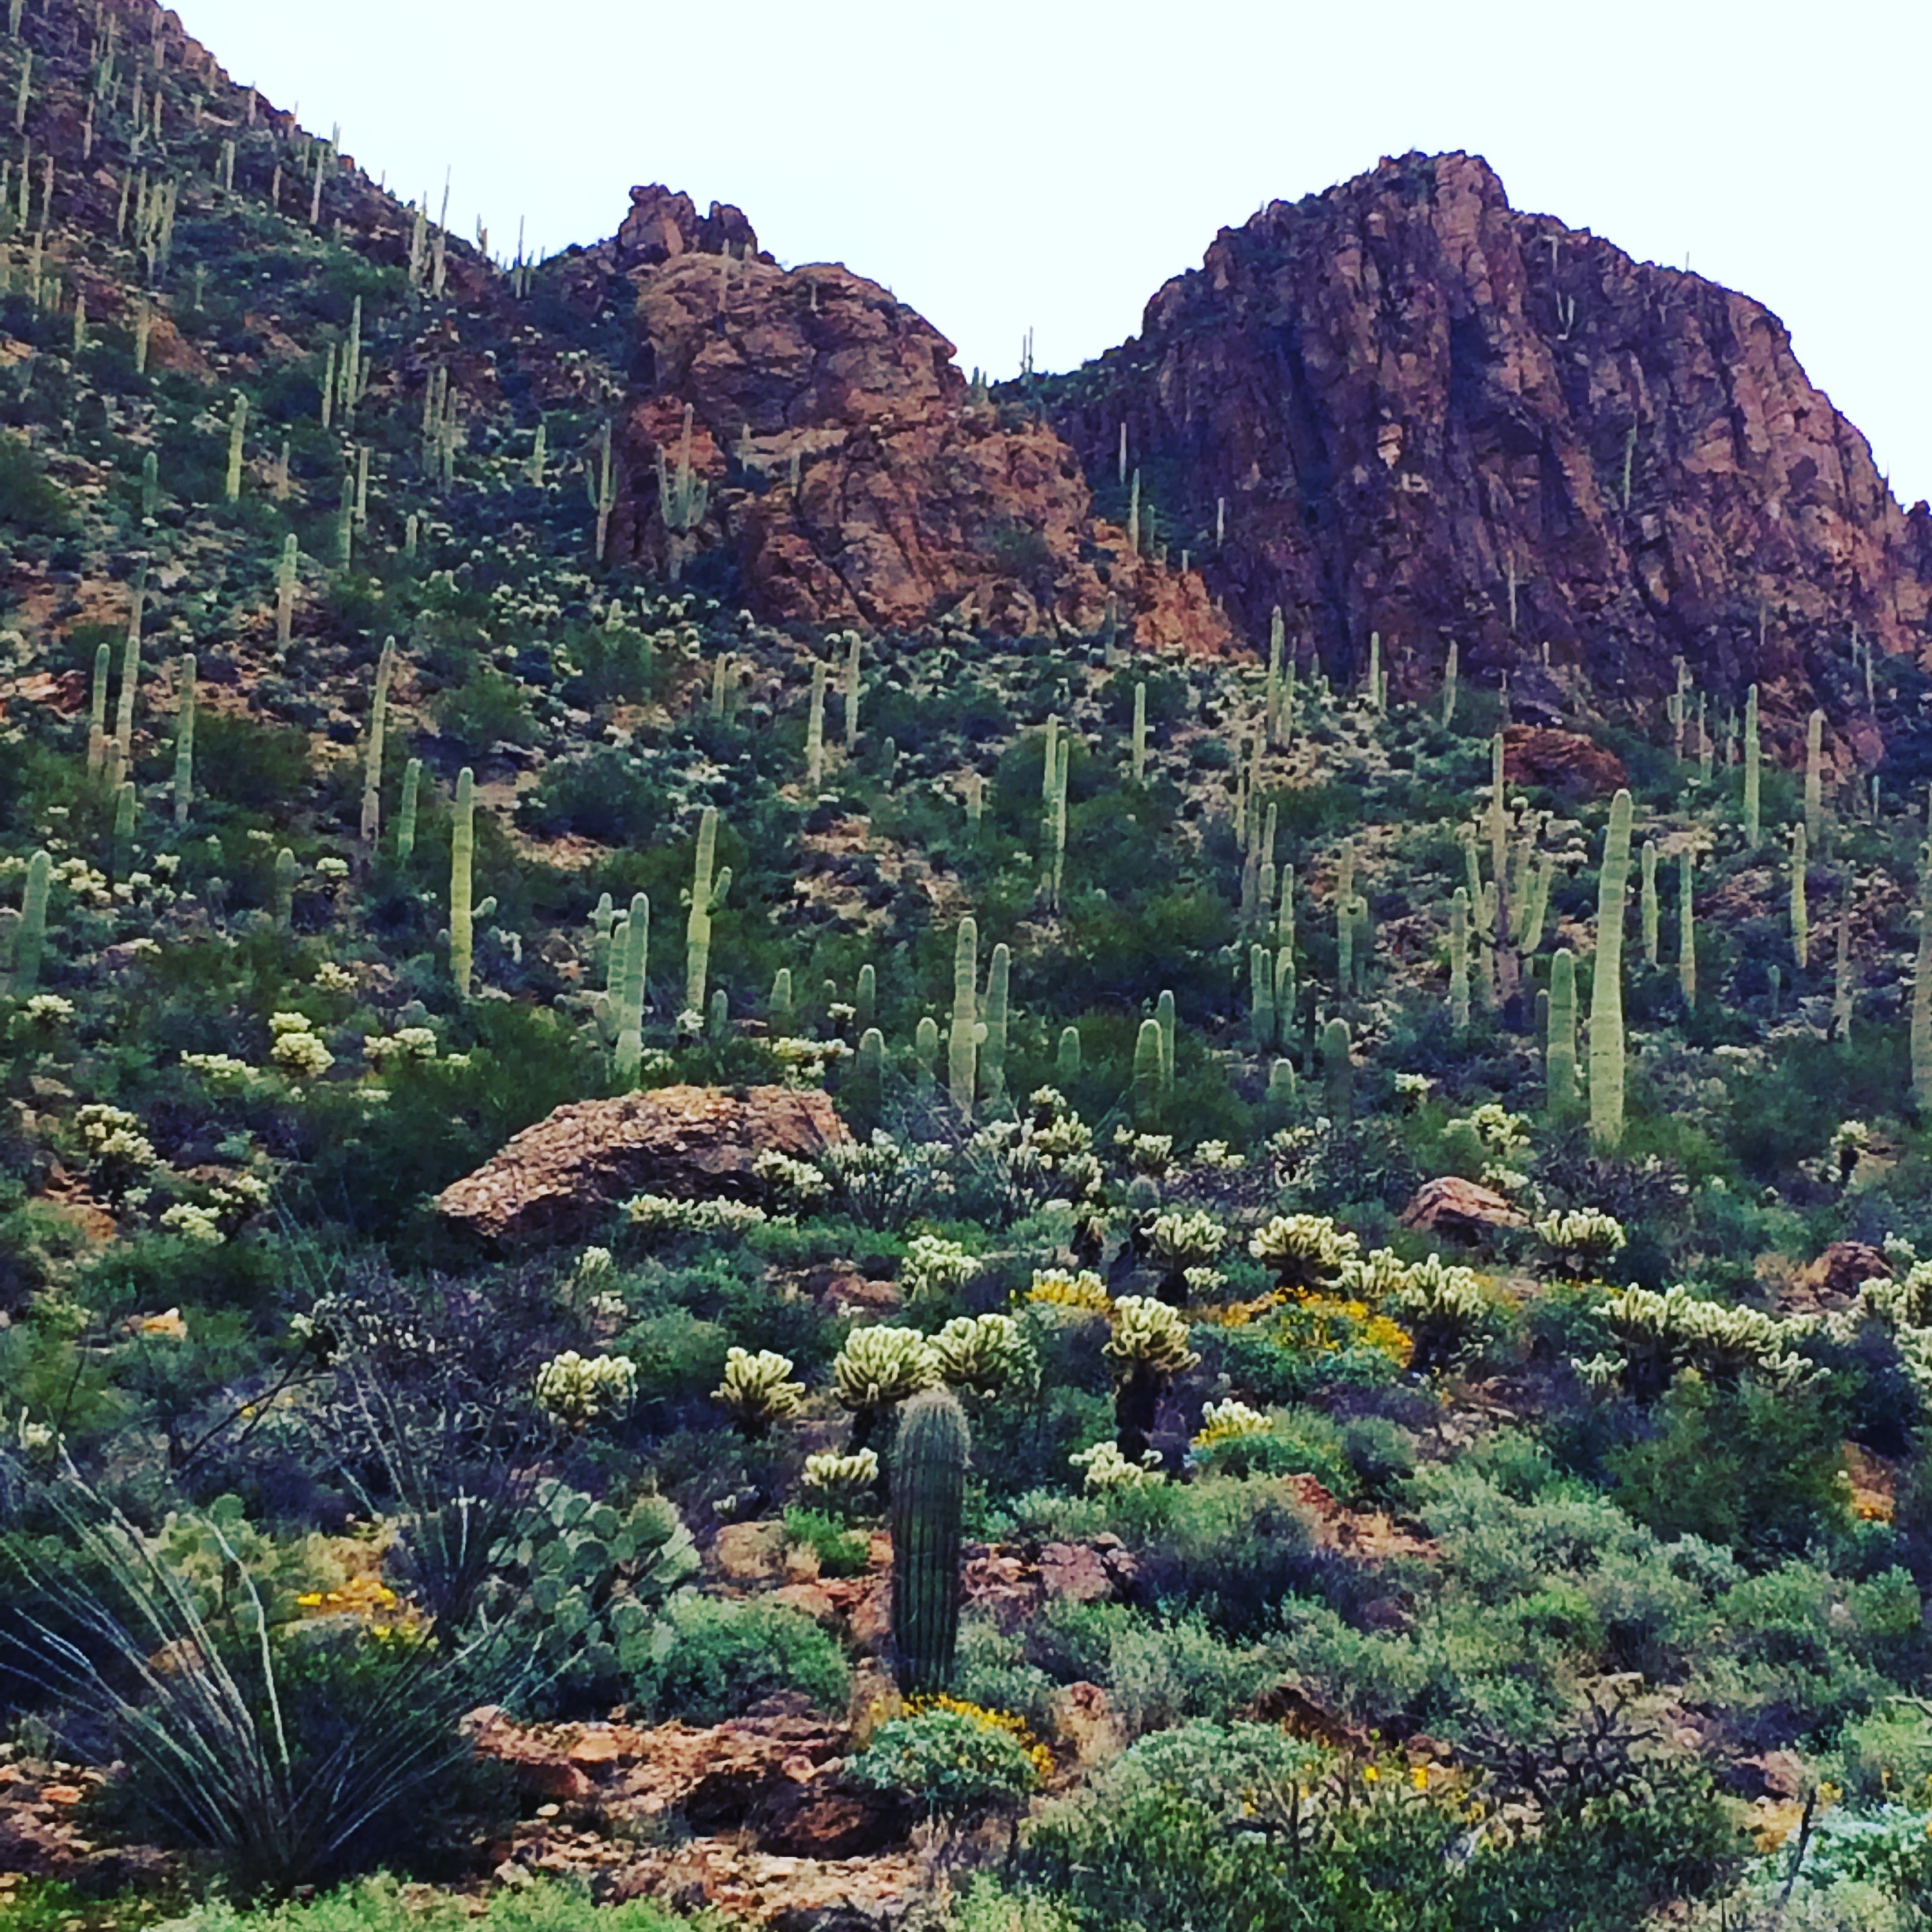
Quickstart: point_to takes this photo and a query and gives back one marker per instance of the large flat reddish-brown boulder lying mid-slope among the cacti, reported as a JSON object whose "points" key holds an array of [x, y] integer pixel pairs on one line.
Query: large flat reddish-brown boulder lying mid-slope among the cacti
{"points": [[567, 1176]]}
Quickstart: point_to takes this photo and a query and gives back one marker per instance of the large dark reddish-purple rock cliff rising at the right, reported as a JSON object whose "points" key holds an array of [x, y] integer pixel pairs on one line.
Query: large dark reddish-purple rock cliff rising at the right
{"points": [[1421, 405]]}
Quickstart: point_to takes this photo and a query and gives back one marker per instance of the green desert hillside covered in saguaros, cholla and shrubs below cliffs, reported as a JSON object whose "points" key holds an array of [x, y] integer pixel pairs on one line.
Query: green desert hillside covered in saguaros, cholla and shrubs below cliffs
{"points": [[1556, 1572]]}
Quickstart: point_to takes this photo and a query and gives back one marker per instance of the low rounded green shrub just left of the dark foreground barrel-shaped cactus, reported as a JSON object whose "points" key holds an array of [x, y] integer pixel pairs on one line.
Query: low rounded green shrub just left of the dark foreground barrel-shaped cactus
{"points": [[716, 1659]]}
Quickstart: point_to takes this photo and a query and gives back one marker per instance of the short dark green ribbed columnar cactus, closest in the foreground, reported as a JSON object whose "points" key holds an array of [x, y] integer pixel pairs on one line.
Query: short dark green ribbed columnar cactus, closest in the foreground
{"points": [[928, 1512]]}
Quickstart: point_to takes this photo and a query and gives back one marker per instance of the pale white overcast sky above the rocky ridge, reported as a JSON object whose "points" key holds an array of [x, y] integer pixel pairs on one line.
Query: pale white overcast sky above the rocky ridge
{"points": [[1048, 165]]}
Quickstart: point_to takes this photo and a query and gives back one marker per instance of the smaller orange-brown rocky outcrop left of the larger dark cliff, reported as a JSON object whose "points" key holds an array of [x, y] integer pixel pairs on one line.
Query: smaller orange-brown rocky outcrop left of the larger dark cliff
{"points": [[853, 474]]}
